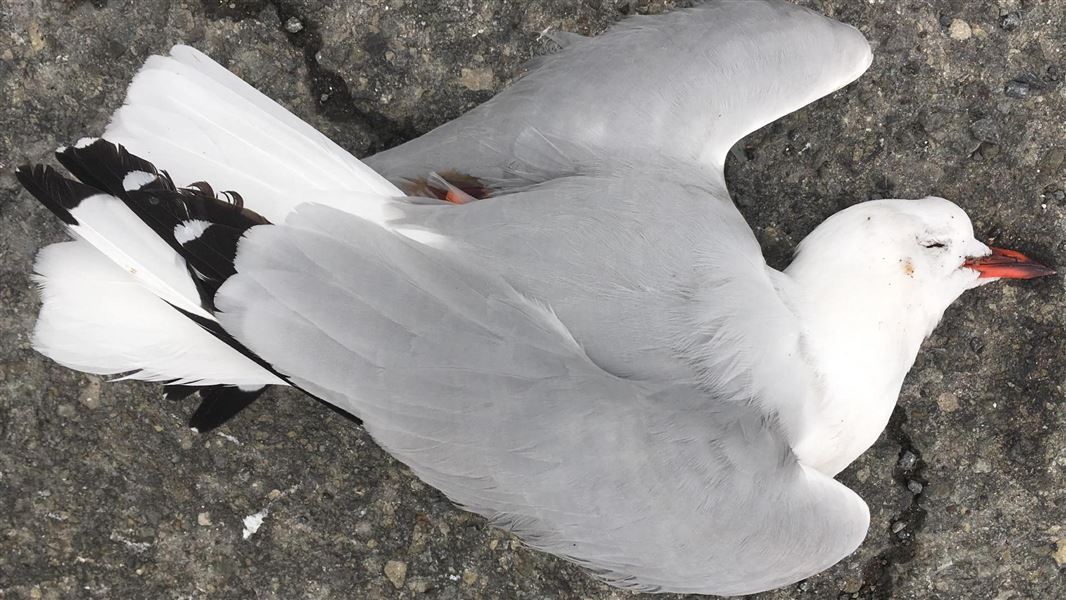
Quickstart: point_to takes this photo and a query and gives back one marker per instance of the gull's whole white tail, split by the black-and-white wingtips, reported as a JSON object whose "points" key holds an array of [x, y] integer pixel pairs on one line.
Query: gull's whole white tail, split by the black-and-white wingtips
{"points": [[111, 298]]}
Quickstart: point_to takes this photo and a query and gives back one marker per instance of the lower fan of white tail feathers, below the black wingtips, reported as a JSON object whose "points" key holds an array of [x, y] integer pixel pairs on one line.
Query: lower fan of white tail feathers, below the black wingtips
{"points": [[100, 319]]}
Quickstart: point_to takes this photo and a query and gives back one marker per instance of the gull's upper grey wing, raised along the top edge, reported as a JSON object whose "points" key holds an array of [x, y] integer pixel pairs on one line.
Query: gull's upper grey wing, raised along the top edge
{"points": [[685, 87]]}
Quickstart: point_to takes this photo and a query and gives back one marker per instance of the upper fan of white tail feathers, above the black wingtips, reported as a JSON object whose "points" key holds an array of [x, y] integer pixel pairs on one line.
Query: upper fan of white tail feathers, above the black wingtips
{"points": [[201, 123]]}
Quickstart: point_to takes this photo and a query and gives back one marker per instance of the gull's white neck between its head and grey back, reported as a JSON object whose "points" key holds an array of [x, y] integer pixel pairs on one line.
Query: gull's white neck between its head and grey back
{"points": [[861, 337]]}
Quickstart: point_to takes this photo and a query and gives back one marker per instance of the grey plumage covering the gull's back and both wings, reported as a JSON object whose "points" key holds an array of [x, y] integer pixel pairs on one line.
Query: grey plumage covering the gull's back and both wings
{"points": [[592, 434]]}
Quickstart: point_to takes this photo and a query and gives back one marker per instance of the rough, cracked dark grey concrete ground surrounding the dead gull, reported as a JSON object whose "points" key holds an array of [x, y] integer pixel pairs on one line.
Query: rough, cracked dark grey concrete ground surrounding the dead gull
{"points": [[106, 494]]}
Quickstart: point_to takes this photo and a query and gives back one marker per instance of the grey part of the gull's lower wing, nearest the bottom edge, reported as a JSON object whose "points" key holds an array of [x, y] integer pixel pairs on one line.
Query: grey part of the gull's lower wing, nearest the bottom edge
{"points": [[487, 396]]}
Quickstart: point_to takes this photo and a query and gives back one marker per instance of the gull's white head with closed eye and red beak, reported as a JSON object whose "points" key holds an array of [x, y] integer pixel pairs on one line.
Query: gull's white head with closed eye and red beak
{"points": [[913, 257]]}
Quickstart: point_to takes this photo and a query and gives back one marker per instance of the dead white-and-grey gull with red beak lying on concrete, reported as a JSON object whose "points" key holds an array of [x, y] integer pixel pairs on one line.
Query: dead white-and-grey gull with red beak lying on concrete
{"points": [[548, 309]]}
